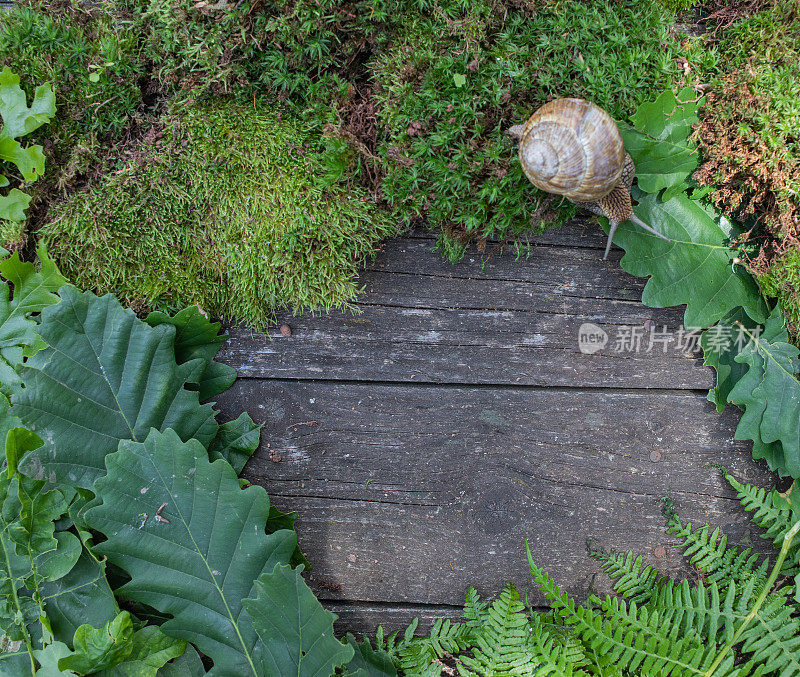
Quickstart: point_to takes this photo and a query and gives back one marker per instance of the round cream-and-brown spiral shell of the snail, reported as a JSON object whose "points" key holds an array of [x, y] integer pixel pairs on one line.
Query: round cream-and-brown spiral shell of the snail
{"points": [[572, 148]]}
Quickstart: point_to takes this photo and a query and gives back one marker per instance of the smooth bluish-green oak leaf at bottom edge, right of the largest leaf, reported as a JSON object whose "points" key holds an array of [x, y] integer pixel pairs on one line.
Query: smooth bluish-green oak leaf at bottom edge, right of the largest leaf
{"points": [[296, 632]]}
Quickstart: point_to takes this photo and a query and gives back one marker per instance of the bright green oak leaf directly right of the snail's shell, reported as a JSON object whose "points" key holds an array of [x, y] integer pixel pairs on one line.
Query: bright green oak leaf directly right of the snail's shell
{"points": [[659, 142]]}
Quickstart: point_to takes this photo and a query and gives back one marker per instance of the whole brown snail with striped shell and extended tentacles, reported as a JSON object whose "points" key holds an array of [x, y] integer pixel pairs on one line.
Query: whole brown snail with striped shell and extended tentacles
{"points": [[573, 148]]}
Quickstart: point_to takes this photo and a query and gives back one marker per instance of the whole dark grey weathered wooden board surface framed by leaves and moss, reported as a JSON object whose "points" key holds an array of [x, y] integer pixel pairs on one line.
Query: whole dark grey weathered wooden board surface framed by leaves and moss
{"points": [[424, 439]]}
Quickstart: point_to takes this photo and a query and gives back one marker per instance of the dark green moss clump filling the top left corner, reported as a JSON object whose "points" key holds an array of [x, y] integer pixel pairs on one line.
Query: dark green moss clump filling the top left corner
{"points": [[70, 49]]}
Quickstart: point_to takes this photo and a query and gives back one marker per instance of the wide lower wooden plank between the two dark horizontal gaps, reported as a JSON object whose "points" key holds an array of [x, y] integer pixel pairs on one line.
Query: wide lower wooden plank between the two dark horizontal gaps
{"points": [[407, 494]]}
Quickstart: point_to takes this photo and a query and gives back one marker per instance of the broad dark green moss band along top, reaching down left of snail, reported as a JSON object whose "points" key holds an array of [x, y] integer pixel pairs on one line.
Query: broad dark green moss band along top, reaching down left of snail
{"points": [[405, 59]]}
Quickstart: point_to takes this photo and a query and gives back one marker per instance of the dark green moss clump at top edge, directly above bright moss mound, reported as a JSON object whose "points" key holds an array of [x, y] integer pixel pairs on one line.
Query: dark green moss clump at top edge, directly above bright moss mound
{"points": [[303, 52]]}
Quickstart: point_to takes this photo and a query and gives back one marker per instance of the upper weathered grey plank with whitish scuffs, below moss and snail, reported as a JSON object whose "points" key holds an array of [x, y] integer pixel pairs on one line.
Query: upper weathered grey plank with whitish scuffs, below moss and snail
{"points": [[508, 321]]}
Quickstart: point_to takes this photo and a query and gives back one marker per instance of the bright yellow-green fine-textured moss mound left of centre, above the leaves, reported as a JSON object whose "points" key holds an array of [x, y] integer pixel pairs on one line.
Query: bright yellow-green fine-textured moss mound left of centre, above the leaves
{"points": [[221, 208]]}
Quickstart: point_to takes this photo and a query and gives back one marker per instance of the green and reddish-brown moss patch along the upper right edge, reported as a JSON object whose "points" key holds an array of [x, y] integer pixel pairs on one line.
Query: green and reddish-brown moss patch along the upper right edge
{"points": [[749, 138]]}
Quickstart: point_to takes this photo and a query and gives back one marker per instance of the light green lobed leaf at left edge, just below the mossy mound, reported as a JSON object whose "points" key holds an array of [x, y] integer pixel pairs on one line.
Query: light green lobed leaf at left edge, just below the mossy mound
{"points": [[33, 292]]}
